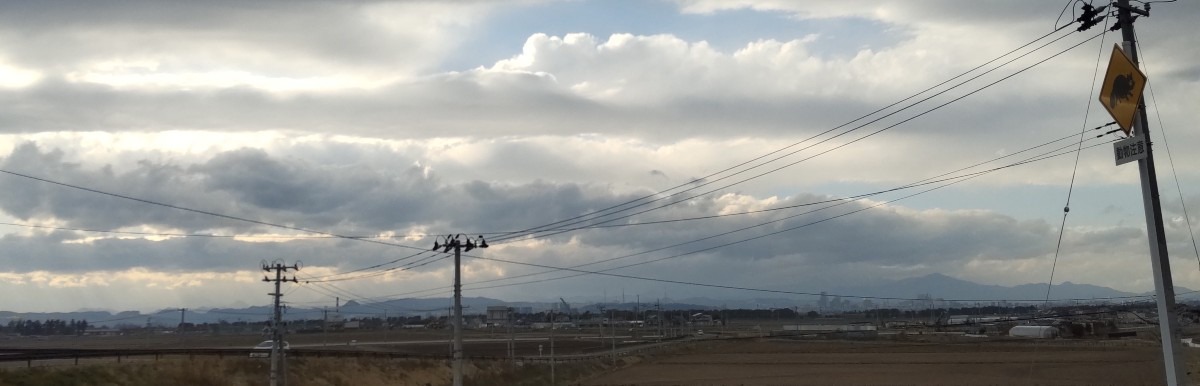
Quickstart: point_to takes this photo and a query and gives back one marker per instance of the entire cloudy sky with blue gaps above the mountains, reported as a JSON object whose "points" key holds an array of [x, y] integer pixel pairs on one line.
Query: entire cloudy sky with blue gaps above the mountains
{"points": [[155, 154]]}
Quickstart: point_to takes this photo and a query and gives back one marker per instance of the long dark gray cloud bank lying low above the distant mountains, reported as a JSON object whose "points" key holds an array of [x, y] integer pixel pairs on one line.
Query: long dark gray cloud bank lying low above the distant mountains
{"points": [[363, 201]]}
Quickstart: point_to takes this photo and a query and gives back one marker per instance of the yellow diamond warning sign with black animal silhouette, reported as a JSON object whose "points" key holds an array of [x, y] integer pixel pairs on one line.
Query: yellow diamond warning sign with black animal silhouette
{"points": [[1123, 89]]}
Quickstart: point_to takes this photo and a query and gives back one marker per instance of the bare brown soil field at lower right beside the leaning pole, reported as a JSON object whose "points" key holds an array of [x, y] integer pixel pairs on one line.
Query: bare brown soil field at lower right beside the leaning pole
{"points": [[823, 363]]}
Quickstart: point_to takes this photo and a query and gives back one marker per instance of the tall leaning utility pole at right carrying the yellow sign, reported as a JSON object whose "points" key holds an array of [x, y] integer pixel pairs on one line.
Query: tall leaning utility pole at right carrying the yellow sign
{"points": [[1165, 287]]}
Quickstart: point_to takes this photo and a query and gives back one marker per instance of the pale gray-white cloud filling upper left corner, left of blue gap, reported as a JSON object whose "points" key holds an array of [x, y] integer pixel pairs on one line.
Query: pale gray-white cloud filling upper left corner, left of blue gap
{"points": [[272, 45]]}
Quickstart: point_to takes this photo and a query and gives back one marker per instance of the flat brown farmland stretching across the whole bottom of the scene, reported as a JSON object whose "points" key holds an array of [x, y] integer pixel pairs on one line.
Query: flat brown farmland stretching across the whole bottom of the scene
{"points": [[754, 361]]}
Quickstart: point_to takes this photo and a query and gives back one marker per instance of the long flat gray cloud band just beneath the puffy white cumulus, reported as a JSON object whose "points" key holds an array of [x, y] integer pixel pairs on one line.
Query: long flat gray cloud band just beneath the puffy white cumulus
{"points": [[452, 106]]}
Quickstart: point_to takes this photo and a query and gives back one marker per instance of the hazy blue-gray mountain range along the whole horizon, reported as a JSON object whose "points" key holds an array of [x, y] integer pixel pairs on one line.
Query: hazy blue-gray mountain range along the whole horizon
{"points": [[937, 286]]}
